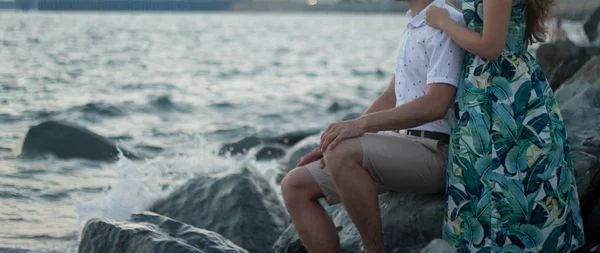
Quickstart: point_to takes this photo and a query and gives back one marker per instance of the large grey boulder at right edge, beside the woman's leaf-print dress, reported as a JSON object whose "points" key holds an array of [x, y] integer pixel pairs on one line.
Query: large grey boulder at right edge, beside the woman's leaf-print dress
{"points": [[579, 100]]}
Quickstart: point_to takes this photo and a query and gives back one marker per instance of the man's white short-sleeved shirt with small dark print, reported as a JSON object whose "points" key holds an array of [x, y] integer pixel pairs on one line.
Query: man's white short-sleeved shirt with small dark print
{"points": [[425, 56]]}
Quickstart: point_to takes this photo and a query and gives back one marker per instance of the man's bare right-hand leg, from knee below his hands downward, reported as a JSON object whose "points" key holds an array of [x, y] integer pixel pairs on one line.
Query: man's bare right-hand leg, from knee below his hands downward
{"points": [[357, 192]]}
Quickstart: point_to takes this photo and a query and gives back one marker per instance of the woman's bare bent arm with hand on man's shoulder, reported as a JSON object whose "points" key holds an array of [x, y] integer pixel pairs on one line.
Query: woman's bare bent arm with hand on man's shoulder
{"points": [[490, 43]]}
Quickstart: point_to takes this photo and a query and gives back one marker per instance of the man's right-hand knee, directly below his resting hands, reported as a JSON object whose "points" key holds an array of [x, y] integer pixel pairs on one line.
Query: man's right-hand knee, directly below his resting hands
{"points": [[347, 152]]}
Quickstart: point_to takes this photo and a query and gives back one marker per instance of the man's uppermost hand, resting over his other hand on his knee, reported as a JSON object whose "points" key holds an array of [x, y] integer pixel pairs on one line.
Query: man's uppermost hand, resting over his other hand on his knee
{"points": [[337, 132]]}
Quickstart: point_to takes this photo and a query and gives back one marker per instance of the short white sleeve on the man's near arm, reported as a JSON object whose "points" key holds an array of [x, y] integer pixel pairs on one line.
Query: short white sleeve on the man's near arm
{"points": [[445, 58]]}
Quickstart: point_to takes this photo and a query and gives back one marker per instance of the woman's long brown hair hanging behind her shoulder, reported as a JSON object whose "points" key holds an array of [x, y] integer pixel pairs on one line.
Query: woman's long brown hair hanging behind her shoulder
{"points": [[537, 12]]}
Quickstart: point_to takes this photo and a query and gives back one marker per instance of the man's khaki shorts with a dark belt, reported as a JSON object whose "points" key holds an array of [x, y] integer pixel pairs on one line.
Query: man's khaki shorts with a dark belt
{"points": [[396, 162]]}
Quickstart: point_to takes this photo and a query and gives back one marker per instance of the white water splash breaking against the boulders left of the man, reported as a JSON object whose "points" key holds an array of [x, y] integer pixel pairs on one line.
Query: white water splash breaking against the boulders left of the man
{"points": [[138, 184]]}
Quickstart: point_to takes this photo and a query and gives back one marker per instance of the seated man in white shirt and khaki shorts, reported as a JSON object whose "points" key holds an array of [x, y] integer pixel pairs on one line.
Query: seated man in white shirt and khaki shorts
{"points": [[357, 160]]}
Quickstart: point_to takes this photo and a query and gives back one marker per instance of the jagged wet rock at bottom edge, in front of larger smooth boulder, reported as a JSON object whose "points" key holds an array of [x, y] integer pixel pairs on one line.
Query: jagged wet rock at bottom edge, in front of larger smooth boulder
{"points": [[151, 233]]}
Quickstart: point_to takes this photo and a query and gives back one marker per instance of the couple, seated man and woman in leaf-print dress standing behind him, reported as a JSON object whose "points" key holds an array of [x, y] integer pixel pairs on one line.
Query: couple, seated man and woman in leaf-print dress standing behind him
{"points": [[469, 113]]}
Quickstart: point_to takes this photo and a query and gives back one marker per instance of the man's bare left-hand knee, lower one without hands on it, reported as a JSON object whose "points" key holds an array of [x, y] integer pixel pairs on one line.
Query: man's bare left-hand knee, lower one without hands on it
{"points": [[299, 185]]}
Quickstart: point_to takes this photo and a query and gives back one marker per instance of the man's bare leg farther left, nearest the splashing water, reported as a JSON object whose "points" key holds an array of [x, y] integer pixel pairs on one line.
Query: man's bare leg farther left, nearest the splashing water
{"points": [[316, 229]]}
